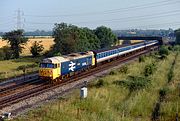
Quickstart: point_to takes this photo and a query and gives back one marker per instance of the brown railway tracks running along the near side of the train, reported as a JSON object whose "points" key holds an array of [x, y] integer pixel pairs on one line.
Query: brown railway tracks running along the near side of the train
{"points": [[10, 98]]}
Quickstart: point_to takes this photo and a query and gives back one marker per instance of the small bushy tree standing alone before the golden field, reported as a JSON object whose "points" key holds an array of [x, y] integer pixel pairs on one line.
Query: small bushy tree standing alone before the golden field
{"points": [[36, 48]]}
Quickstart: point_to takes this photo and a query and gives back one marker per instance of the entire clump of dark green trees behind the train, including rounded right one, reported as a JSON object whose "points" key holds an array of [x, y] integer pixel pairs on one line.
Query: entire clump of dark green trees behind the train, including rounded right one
{"points": [[70, 38]]}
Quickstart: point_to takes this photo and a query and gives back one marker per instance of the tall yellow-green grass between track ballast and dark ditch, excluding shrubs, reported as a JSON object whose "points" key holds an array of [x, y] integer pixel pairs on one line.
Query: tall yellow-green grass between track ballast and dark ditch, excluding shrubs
{"points": [[111, 102]]}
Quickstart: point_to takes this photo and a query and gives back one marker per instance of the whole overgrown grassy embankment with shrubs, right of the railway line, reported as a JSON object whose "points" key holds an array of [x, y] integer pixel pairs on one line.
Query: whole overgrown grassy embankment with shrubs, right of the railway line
{"points": [[126, 94]]}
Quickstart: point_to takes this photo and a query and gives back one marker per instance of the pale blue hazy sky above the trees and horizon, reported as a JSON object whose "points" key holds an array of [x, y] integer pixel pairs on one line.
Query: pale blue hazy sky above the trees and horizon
{"points": [[116, 14]]}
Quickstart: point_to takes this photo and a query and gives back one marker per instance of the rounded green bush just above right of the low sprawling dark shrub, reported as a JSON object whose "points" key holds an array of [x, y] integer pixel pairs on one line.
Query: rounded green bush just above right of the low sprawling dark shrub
{"points": [[149, 69]]}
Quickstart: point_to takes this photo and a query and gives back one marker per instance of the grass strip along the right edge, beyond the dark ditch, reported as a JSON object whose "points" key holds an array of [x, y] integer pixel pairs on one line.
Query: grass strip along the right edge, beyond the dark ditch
{"points": [[170, 107]]}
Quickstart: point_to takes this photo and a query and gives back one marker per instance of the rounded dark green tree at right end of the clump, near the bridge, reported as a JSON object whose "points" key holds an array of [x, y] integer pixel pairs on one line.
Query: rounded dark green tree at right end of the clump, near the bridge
{"points": [[106, 36]]}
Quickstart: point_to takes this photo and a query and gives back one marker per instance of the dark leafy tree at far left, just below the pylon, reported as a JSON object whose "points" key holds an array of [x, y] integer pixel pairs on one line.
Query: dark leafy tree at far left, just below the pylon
{"points": [[15, 39]]}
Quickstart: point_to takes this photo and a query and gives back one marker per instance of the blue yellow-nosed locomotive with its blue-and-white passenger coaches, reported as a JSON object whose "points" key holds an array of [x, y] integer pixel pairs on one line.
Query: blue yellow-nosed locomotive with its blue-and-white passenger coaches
{"points": [[55, 69]]}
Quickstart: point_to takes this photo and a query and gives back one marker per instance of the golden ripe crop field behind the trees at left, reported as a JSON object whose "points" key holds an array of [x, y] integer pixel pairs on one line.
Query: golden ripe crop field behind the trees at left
{"points": [[46, 42]]}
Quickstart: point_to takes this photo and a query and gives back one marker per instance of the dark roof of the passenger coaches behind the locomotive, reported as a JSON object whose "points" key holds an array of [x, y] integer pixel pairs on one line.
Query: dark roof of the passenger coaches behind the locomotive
{"points": [[115, 47]]}
